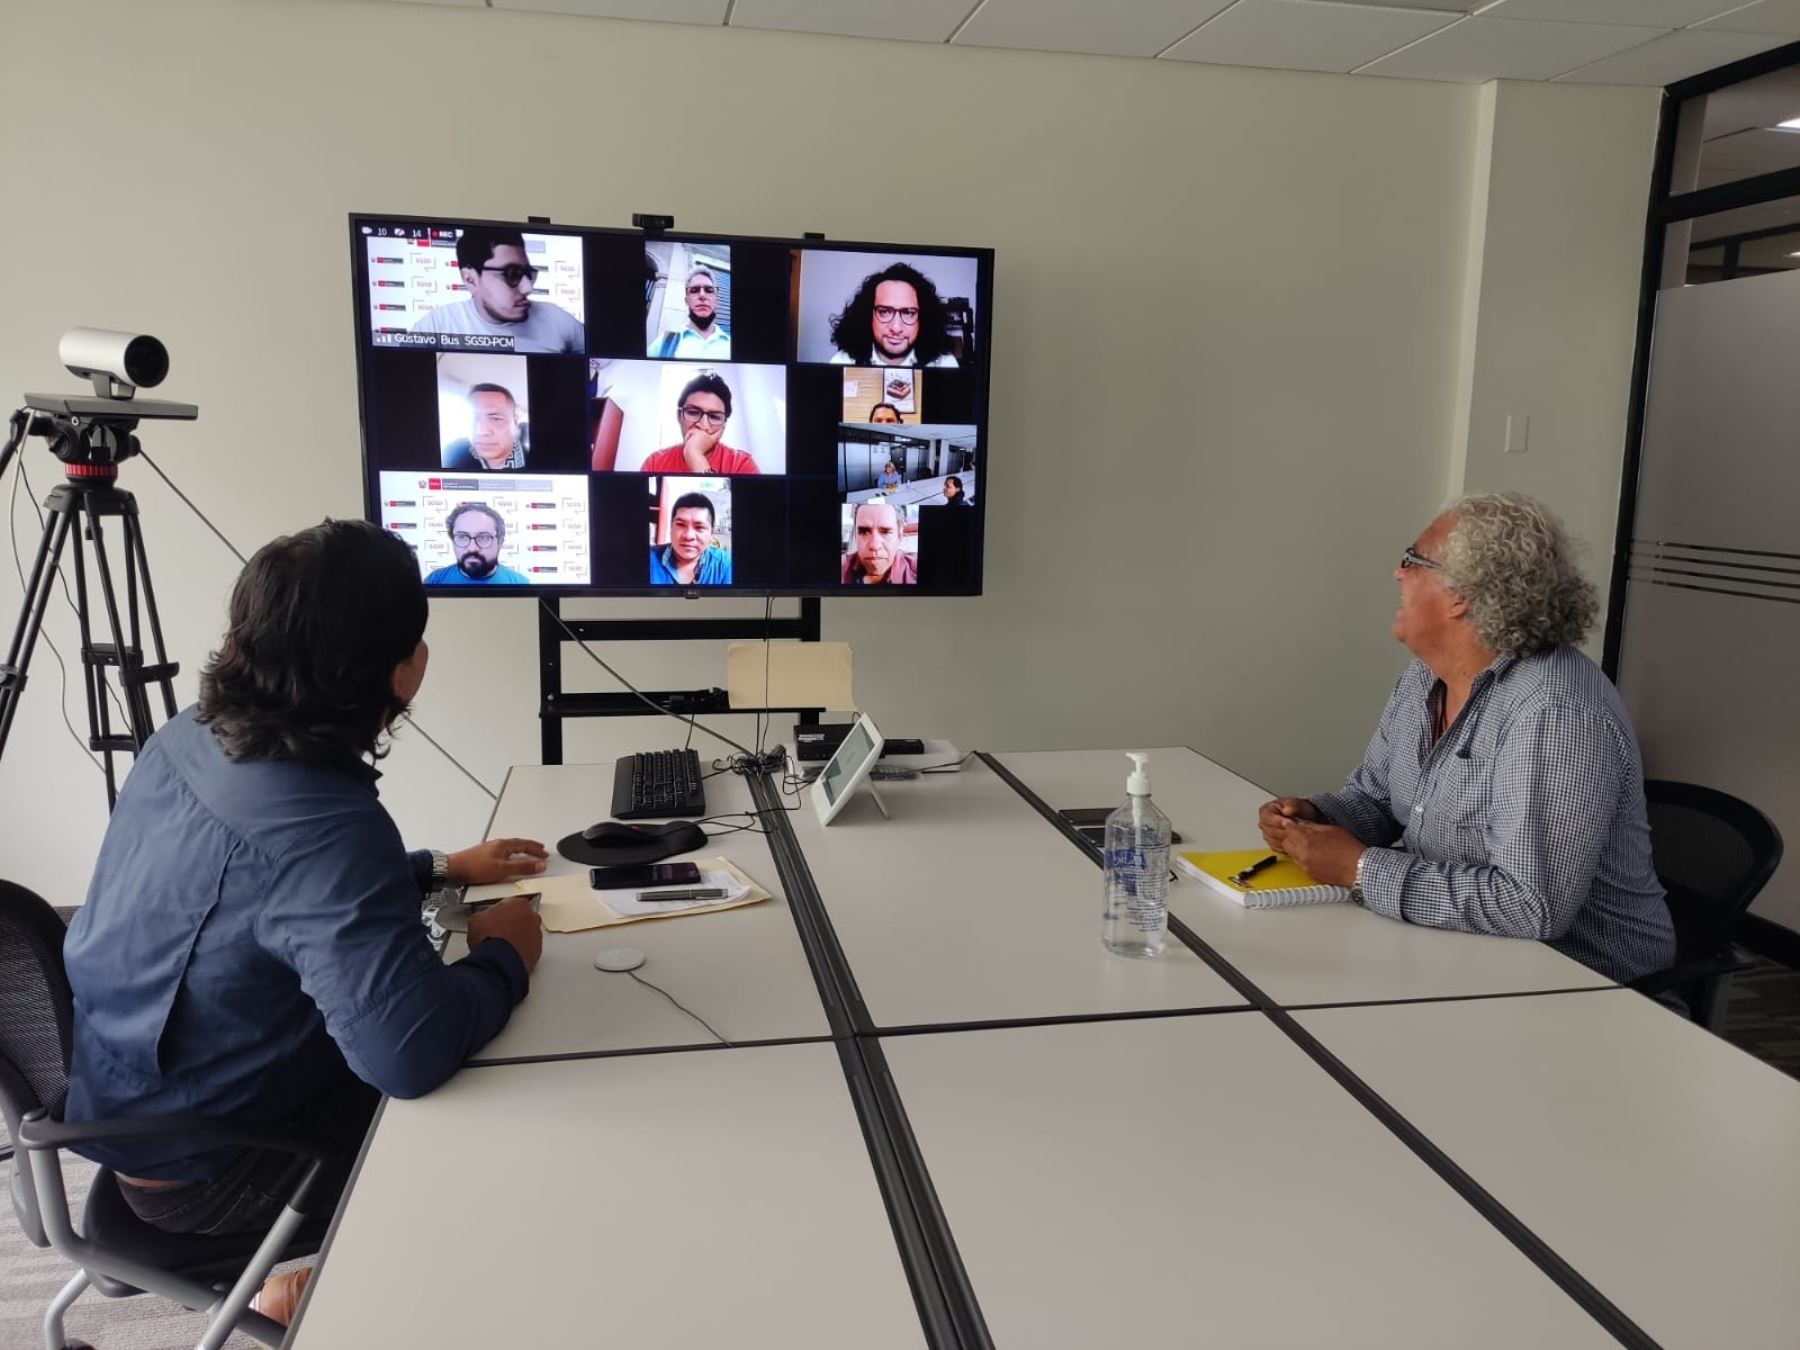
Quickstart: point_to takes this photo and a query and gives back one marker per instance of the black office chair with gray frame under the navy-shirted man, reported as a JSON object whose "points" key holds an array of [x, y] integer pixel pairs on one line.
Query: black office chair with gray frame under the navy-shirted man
{"points": [[116, 1252]]}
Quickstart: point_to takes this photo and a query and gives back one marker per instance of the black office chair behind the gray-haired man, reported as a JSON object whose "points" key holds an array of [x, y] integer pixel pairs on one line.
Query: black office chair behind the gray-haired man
{"points": [[1714, 852]]}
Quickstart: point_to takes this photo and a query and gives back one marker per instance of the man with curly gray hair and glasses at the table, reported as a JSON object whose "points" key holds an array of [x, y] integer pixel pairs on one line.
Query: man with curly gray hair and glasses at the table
{"points": [[1504, 791]]}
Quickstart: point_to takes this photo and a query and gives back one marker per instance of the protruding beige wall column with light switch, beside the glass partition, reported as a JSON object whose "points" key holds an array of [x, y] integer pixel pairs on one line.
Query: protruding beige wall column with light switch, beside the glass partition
{"points": [[1551, 300]]}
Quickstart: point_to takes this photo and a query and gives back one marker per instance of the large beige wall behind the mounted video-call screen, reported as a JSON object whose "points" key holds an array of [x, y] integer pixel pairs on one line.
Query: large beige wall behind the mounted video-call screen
{"points": [[1227, 364]]}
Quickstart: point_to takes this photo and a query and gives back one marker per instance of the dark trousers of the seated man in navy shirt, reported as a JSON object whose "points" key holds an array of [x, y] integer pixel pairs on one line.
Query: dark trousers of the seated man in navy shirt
{"points": [[258, 1183]]}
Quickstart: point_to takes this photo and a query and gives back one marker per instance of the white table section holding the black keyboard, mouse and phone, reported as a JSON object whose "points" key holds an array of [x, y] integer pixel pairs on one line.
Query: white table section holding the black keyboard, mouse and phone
{"points": [[744, 971]]}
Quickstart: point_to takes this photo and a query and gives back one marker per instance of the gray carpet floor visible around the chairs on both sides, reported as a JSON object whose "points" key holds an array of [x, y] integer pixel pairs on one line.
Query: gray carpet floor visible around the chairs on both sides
{"points": [[1763, 1018]]}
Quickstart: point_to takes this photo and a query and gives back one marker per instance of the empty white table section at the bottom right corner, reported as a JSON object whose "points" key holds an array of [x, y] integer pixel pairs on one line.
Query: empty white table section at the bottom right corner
{"points": [[1660, 1162]]}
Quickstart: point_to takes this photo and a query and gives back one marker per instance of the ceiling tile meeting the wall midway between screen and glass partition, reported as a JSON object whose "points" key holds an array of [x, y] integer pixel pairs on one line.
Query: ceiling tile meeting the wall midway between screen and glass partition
{"points": [[1306, 35]]}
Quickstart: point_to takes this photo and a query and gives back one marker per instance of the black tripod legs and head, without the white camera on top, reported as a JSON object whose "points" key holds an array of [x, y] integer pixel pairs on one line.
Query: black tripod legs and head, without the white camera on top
{"points": [[76, 512]]}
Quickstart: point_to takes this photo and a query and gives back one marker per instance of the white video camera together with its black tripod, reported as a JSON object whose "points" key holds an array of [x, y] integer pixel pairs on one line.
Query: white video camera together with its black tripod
{"points": [[93, 436]]}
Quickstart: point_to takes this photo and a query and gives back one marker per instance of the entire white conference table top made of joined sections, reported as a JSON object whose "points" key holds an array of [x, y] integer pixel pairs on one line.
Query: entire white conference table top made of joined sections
{"points": [[1138, 1182]]}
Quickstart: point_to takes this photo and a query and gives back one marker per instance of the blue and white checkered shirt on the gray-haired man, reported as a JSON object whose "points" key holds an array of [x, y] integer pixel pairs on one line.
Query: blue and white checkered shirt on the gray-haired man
{"points": [[1525, 820]]}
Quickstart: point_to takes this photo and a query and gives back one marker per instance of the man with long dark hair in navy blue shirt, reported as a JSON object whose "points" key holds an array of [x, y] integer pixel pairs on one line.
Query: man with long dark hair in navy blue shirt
{"points": [[251, 946]]}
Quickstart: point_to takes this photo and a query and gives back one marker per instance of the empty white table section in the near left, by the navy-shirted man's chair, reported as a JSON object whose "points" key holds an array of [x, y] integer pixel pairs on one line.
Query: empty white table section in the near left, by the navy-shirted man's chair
{"points": [[692, 1200]]}
